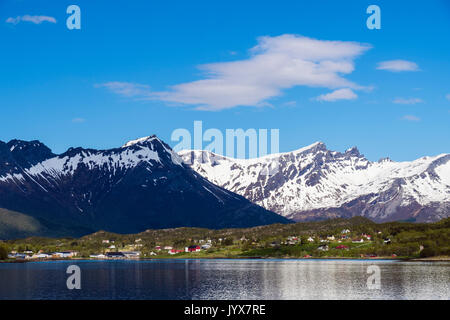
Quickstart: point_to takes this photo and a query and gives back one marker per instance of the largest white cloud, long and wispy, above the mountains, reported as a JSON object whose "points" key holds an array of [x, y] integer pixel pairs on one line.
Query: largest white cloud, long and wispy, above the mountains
{"points": [[275, 64]]}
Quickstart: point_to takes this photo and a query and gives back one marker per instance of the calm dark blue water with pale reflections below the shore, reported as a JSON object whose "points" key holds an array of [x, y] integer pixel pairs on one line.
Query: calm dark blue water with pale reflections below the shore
{"points": [[226, 279]]}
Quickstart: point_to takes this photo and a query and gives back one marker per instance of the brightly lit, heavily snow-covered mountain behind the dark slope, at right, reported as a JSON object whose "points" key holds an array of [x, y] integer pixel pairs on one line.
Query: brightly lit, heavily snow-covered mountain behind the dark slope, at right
{"points": [[315, 183]]}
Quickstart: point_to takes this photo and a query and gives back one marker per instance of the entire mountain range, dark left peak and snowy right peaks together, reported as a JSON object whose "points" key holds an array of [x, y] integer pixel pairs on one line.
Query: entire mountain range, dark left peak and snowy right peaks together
{"points": [[146, 185]]}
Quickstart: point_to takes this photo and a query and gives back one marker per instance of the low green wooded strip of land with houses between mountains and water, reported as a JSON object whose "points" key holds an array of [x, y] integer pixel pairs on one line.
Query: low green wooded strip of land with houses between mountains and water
{"points": [[356, 237]]}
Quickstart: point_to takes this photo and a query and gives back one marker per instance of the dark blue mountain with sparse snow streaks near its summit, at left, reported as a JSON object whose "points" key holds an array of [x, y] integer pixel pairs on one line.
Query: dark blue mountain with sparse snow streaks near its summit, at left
{"points": [[141, 185]]}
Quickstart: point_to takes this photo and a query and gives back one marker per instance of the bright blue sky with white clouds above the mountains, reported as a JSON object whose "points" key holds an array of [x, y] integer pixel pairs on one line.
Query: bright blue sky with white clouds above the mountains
{"points": [[149, 67]]}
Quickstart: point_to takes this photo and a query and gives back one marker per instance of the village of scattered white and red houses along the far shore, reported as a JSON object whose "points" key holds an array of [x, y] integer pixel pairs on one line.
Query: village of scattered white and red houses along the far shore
{"points": [[314, 245]]}
